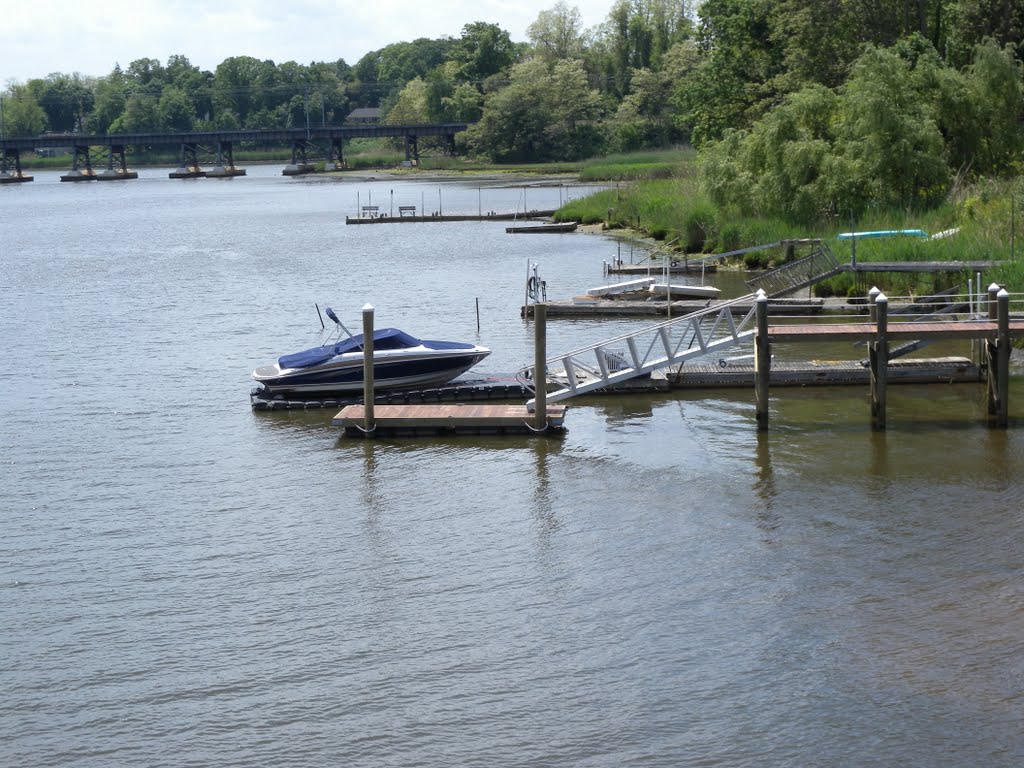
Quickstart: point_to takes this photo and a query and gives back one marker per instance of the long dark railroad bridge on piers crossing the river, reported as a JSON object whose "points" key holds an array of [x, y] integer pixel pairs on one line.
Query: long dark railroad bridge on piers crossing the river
{"points": [[212, 148]]}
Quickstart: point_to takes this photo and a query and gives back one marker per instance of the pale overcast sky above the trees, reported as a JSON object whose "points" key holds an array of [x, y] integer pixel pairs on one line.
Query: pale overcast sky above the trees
{"points": [[69, 36]]}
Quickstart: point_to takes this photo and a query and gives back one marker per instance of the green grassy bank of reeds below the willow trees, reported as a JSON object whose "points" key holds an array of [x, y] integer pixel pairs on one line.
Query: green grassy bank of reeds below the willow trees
{"points": [[676, 209]]}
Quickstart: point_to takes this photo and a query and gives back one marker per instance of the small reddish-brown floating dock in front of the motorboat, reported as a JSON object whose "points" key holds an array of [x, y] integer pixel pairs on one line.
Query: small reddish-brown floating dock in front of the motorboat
{"points": [[433, 419]]}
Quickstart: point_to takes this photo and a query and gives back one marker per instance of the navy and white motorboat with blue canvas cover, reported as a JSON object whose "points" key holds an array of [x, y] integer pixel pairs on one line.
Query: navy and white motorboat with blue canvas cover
{"points": [[401, 362]]}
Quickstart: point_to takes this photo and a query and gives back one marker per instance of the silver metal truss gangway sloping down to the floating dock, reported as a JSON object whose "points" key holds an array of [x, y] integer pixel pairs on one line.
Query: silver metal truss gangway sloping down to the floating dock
{"points": [[705, 332]]}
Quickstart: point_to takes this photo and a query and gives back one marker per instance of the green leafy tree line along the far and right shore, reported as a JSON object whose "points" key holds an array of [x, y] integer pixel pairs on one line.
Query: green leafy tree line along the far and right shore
{"points": [[804, 107]]}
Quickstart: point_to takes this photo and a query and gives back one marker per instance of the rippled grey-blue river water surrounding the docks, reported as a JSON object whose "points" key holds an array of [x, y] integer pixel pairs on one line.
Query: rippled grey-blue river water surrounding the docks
{"points": [[186, 582]]}
